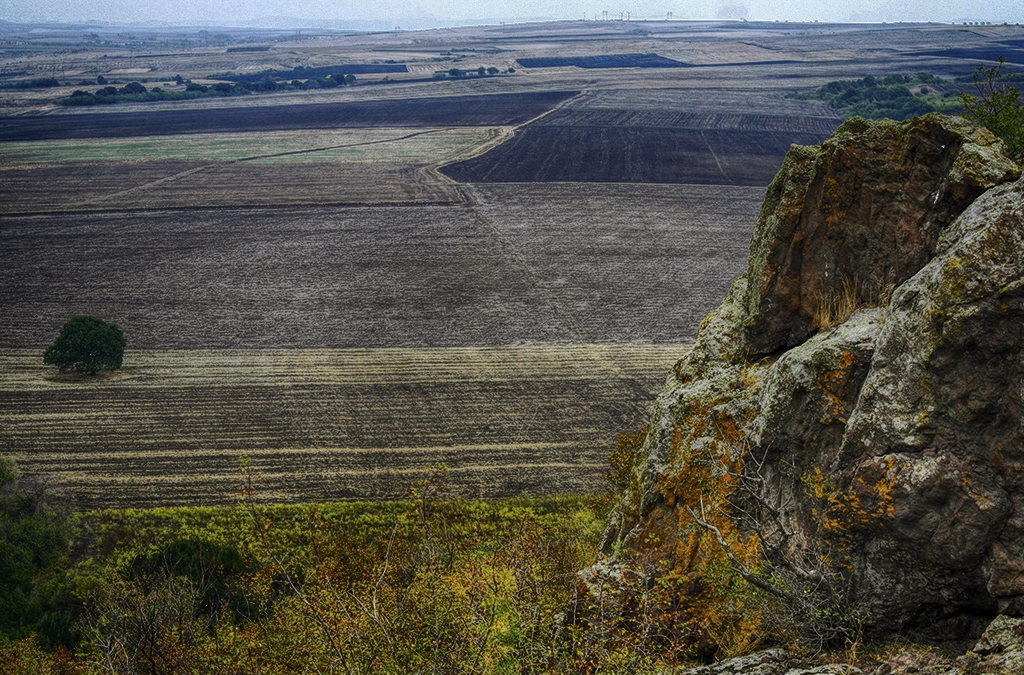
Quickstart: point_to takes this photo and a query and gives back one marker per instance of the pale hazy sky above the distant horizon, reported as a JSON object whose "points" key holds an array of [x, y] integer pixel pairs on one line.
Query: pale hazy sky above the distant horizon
{"points": [[237, 13]]}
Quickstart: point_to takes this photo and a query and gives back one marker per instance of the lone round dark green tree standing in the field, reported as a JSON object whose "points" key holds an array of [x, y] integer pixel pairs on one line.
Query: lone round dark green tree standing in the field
{"points": [[87, 345]]}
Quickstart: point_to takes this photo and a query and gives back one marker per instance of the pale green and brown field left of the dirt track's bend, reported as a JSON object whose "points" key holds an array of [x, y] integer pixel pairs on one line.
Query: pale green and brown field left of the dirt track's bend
{"points": [[348, 166]]}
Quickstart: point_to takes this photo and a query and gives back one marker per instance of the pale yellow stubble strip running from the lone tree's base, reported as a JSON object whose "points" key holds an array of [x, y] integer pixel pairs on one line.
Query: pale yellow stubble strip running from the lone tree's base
{"points": [[23, 369]]}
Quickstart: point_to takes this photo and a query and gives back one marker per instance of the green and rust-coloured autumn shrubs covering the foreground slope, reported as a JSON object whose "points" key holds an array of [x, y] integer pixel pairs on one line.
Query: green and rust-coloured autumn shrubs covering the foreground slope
{"points": [[428, 584]]}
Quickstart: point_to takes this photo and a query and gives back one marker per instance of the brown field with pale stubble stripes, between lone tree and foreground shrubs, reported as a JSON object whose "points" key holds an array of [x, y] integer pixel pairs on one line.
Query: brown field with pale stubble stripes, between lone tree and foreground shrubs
{"points": [[329, 425]]}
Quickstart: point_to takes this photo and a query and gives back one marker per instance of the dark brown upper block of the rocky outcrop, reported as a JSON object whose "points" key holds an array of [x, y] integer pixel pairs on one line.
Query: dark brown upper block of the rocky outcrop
{"points": [[863, 212]]}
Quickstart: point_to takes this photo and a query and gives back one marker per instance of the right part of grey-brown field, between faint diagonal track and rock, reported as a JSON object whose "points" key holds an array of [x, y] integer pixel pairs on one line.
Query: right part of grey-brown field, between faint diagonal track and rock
{"points": [[591, 260]]}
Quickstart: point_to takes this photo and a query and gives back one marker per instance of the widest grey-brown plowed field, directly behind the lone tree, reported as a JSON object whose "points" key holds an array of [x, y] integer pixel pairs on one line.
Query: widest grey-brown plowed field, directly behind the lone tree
{"points": [[531, 264]]}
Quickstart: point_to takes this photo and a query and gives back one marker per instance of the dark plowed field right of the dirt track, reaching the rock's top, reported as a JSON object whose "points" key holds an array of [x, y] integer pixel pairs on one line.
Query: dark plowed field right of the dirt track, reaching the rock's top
{"points": [[652, 138]]}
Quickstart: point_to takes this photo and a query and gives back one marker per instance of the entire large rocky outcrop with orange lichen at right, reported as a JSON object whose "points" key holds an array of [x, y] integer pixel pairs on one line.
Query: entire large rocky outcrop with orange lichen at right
{"points": [[866, 378]]}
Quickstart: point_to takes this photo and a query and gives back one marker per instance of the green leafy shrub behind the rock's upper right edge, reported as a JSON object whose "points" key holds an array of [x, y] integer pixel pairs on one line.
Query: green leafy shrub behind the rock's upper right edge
{"points": [[999, 106]]}
